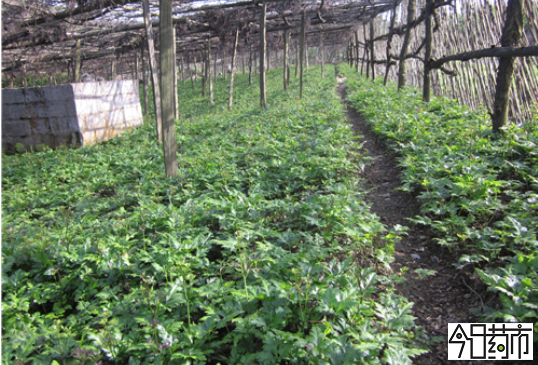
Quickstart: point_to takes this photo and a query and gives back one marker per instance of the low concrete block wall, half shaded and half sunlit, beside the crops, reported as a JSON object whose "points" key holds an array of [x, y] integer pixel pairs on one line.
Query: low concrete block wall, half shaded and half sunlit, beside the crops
{"points": [[71, 114]]}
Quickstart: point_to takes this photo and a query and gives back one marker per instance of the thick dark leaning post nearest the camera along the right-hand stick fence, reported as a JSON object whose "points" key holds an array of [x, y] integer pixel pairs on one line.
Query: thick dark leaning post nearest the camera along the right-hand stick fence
{"points": [[512, 31]]}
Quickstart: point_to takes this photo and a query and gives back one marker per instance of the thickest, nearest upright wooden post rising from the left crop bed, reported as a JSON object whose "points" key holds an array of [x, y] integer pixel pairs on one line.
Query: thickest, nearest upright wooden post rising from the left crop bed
{"points": [[167, 61]]}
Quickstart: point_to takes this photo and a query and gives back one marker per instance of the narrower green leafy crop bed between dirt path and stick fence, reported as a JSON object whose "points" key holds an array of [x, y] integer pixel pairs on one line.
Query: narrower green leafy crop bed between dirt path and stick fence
{"points": [[479, 192]]}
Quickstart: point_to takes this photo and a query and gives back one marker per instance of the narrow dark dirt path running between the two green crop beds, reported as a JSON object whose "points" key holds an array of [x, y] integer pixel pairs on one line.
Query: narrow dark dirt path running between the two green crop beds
{"points": [[444, 298]]}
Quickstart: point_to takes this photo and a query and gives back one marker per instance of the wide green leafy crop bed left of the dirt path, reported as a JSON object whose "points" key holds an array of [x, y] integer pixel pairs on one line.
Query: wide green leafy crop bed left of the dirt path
{"points": [[248, 256]]}
